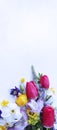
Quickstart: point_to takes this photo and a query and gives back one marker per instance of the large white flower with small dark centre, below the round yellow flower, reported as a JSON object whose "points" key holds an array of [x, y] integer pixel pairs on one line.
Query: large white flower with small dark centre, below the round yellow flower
{"points": [[15, 114]]}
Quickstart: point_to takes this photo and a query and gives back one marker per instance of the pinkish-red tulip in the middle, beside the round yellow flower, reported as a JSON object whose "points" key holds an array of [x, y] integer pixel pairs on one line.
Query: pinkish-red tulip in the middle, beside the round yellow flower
{"points": [[31, 90]]}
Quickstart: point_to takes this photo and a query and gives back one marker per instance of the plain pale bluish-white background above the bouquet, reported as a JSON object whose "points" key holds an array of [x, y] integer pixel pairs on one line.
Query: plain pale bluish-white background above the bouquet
{"points": [[28, 35]]}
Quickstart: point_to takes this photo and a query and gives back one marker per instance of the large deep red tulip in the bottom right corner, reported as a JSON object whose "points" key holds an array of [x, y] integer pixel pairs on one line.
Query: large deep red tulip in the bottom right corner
{"points": [[48, 116]]}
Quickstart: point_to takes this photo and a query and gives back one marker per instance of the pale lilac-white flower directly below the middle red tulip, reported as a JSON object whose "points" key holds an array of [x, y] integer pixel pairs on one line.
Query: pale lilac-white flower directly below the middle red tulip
{"points": [[36, 106]]}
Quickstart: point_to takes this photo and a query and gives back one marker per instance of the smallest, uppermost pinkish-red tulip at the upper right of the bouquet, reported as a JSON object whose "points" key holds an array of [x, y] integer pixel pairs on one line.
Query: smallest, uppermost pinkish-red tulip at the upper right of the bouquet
{"points": [[44, 81]]}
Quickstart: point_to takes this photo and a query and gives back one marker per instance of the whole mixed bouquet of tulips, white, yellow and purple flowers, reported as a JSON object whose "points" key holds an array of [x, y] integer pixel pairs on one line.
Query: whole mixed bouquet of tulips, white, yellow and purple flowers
{"points": [[32, 108]]}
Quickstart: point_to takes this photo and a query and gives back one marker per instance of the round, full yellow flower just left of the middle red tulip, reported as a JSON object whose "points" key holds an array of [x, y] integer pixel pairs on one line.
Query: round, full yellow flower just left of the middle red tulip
{"points": [[21, 100]]}
